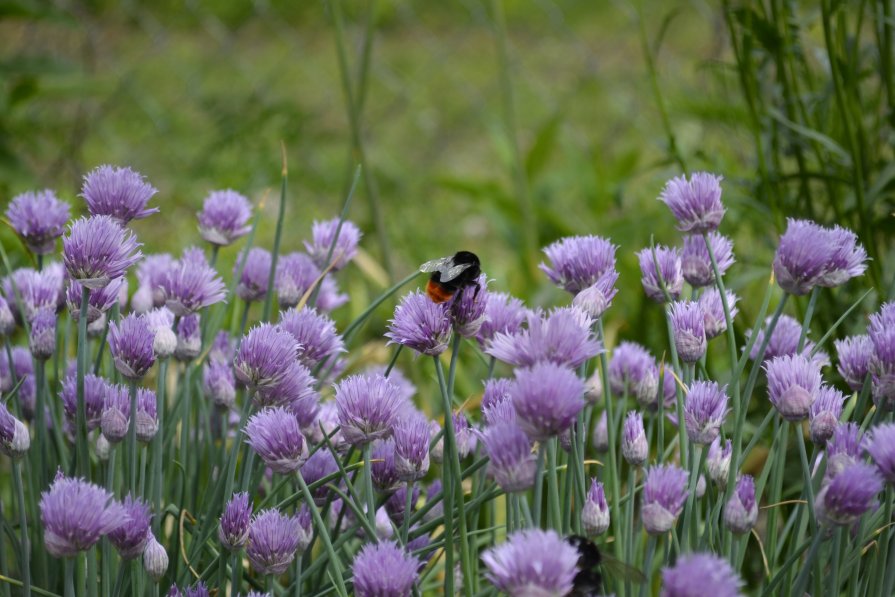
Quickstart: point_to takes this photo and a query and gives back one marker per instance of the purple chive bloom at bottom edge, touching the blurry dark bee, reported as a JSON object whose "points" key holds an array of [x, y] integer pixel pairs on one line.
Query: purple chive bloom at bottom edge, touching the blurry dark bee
{"points": [[532, 562]]}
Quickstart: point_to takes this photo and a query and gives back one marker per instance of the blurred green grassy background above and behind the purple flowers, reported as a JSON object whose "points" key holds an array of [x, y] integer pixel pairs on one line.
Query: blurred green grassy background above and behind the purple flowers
{"points": [[494, 127]]}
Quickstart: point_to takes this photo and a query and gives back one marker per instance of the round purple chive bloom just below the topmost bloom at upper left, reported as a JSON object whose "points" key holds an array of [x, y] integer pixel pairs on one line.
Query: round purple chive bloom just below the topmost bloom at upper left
{"points": [[97, 250]]}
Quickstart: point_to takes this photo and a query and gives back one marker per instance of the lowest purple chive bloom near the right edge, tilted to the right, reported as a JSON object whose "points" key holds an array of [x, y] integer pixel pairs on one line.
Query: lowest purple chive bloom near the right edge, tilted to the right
{"points": [[848, 495]]}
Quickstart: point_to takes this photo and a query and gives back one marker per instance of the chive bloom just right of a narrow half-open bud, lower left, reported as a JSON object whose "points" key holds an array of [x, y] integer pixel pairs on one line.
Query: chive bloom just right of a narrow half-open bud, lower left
{"points": [[273, 541]]}
